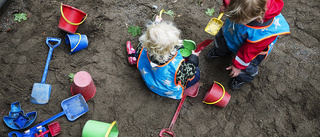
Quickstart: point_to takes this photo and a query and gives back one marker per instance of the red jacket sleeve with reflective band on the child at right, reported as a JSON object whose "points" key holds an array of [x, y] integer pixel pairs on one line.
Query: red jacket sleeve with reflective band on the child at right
{"points": [[248, 51]]}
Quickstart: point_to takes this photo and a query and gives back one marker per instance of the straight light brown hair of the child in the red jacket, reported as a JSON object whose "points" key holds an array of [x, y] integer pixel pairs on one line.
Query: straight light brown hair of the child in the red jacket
{"points": [[245, 11]]}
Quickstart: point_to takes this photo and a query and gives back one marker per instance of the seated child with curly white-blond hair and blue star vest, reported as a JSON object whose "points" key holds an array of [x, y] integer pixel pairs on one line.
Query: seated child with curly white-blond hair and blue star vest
{"points": [[160, 62]]}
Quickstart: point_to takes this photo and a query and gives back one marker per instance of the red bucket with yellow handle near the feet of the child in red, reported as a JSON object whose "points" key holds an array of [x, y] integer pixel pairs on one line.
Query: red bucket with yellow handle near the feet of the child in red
{"points": [[217, 95]]}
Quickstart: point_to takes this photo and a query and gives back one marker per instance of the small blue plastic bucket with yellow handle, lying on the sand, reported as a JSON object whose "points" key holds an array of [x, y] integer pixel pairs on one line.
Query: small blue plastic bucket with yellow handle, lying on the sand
{"points": [[77, 42]]}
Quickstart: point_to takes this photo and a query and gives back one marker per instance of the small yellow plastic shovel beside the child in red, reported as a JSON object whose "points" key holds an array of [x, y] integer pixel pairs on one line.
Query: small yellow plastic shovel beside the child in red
{"points": [[214, 25]]}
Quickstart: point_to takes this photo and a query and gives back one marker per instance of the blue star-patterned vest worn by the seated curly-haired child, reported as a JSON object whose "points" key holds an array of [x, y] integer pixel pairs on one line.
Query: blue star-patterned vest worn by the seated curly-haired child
{"points": [[161, 79]]}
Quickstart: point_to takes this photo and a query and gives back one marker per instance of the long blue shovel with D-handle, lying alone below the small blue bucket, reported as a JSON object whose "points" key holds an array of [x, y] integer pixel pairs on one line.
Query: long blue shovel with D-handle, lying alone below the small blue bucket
{"points": [[41, 91]]}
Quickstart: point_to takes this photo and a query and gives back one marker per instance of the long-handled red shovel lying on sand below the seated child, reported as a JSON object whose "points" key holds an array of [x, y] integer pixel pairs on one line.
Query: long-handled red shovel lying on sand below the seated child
{"points": [[191, 92]]}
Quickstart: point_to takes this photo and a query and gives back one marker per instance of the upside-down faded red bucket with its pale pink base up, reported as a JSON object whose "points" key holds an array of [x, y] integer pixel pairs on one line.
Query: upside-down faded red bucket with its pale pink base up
{"points": [[83, 84]]}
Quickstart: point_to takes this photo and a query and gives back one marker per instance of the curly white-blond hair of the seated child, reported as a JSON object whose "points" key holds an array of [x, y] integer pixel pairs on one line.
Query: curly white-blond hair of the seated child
{"points": [[160, 40]]}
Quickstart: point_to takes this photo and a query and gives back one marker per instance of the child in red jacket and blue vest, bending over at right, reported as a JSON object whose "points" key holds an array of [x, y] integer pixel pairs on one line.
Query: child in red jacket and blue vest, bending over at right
{"points": [[250, 31]]}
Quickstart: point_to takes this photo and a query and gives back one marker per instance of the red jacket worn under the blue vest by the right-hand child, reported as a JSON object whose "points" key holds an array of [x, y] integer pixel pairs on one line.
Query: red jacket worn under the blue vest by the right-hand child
{"points": [[248, 51]]}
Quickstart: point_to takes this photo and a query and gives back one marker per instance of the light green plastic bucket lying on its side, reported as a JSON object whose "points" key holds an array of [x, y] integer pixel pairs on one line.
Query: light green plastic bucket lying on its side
{"points": [[94, 128]]}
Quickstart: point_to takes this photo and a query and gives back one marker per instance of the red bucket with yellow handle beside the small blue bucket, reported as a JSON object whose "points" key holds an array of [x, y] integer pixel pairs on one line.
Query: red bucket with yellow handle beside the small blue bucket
{"points": [[71, 18]]}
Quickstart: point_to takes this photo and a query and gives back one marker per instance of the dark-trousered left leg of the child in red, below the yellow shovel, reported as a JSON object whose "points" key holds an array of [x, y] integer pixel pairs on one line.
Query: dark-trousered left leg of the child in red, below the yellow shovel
{"points": [[220, 46]]}
